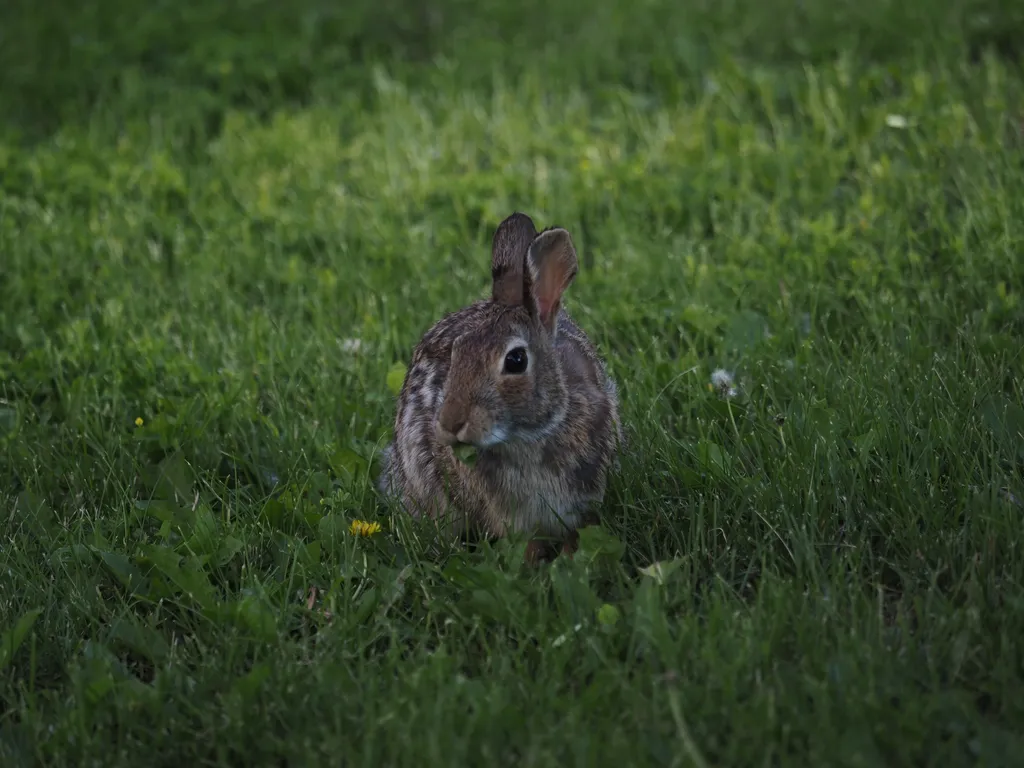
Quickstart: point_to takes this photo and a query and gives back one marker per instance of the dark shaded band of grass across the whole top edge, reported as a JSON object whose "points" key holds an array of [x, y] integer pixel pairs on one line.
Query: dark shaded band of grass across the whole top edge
{"points": [[61, 61]]}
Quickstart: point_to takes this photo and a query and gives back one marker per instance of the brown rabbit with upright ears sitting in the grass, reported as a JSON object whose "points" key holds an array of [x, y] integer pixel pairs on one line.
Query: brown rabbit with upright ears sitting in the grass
{"points": [[516, 378]]}
